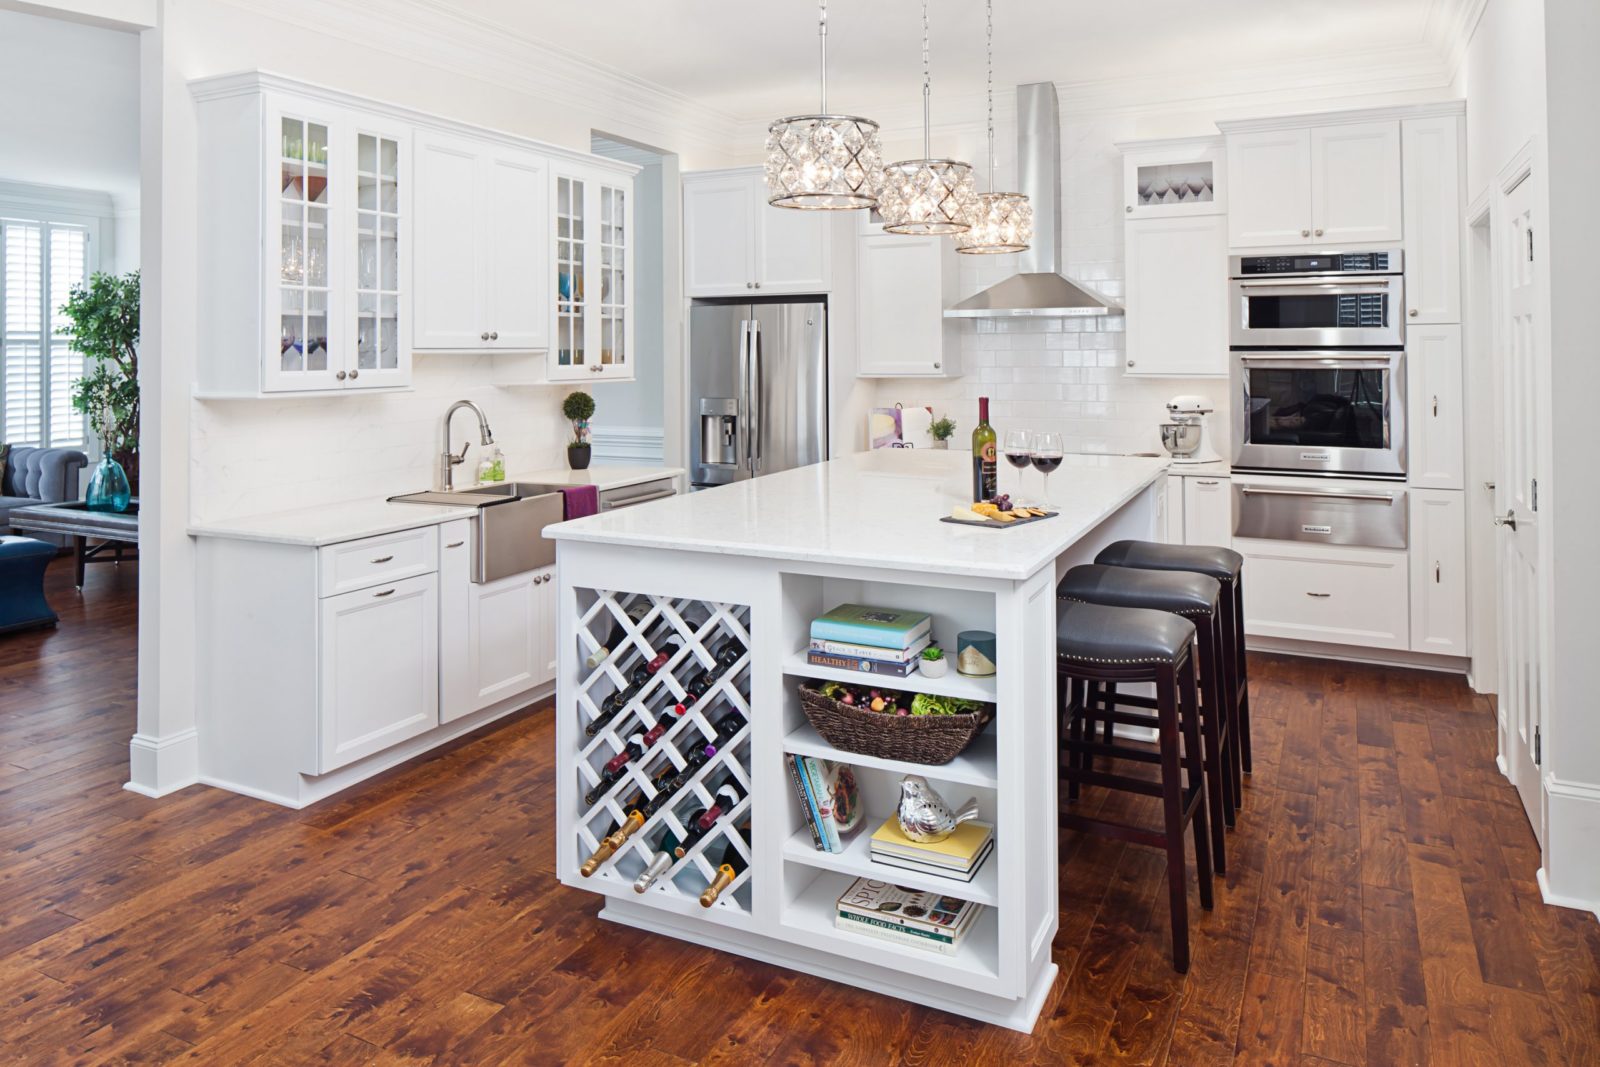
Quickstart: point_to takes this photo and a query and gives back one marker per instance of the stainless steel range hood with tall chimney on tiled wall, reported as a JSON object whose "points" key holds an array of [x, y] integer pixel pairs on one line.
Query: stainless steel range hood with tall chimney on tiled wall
{"points": [[1039, 289]]}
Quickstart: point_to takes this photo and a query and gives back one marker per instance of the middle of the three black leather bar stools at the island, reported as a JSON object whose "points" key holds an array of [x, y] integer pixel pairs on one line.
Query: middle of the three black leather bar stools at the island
{"points": [[1196, 599]]}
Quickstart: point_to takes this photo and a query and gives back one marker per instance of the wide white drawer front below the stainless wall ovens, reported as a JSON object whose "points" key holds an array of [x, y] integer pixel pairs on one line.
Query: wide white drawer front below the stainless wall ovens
{"points": [[1340, 597]]}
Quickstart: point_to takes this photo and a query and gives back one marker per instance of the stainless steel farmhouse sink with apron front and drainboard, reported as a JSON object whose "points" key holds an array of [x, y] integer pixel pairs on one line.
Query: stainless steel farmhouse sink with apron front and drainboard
{"points": [[508, 532]]}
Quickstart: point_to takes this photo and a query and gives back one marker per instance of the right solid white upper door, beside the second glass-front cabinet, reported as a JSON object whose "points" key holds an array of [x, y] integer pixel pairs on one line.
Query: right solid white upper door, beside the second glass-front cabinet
{"points": [[519, 263]]}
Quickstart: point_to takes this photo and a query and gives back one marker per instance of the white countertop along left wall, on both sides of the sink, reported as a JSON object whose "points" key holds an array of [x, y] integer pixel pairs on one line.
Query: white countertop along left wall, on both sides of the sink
{"points": [[353, 521]]}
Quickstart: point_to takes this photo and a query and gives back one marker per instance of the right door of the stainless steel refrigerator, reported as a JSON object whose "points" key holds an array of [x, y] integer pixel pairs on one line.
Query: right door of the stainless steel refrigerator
{"points": [[788, 386]]}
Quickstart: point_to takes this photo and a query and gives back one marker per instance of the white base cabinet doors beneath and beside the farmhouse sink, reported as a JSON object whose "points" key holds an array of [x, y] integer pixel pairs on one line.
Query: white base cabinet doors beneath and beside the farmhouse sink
{"points": [[498, 639]]}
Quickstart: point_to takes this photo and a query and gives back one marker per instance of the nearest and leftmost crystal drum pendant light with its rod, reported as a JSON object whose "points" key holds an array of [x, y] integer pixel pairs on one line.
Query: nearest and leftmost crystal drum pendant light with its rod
{"points": [[823, 162]]}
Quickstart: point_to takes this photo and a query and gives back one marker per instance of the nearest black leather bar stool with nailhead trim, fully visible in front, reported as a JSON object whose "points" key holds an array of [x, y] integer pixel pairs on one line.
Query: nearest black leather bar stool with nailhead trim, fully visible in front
{"points": [[1130, 645]]}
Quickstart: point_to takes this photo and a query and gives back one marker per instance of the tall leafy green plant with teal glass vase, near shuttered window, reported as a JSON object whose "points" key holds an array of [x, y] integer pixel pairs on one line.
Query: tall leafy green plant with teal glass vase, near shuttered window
{"points": [[103, 321]]}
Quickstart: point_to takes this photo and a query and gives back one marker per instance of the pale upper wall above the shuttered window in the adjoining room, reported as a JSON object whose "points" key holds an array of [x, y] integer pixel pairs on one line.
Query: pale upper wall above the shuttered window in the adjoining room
{"points": [[71, 118]]}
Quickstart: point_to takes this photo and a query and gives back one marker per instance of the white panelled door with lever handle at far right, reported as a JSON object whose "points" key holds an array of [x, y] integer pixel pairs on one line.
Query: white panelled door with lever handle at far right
{"points": [[1522, 609]]}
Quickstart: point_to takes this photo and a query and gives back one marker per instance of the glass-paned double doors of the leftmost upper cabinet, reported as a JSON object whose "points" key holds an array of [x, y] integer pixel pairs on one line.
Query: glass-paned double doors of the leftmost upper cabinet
{"points": [[338, 265]]}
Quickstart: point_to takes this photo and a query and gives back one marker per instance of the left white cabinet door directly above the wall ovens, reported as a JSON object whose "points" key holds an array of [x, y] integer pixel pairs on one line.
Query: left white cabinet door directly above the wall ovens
{"points": [[1270, 188]]}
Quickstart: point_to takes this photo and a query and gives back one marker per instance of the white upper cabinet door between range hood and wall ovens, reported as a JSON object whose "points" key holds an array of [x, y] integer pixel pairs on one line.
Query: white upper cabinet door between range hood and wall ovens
{"points": [[1177, 297]]}
